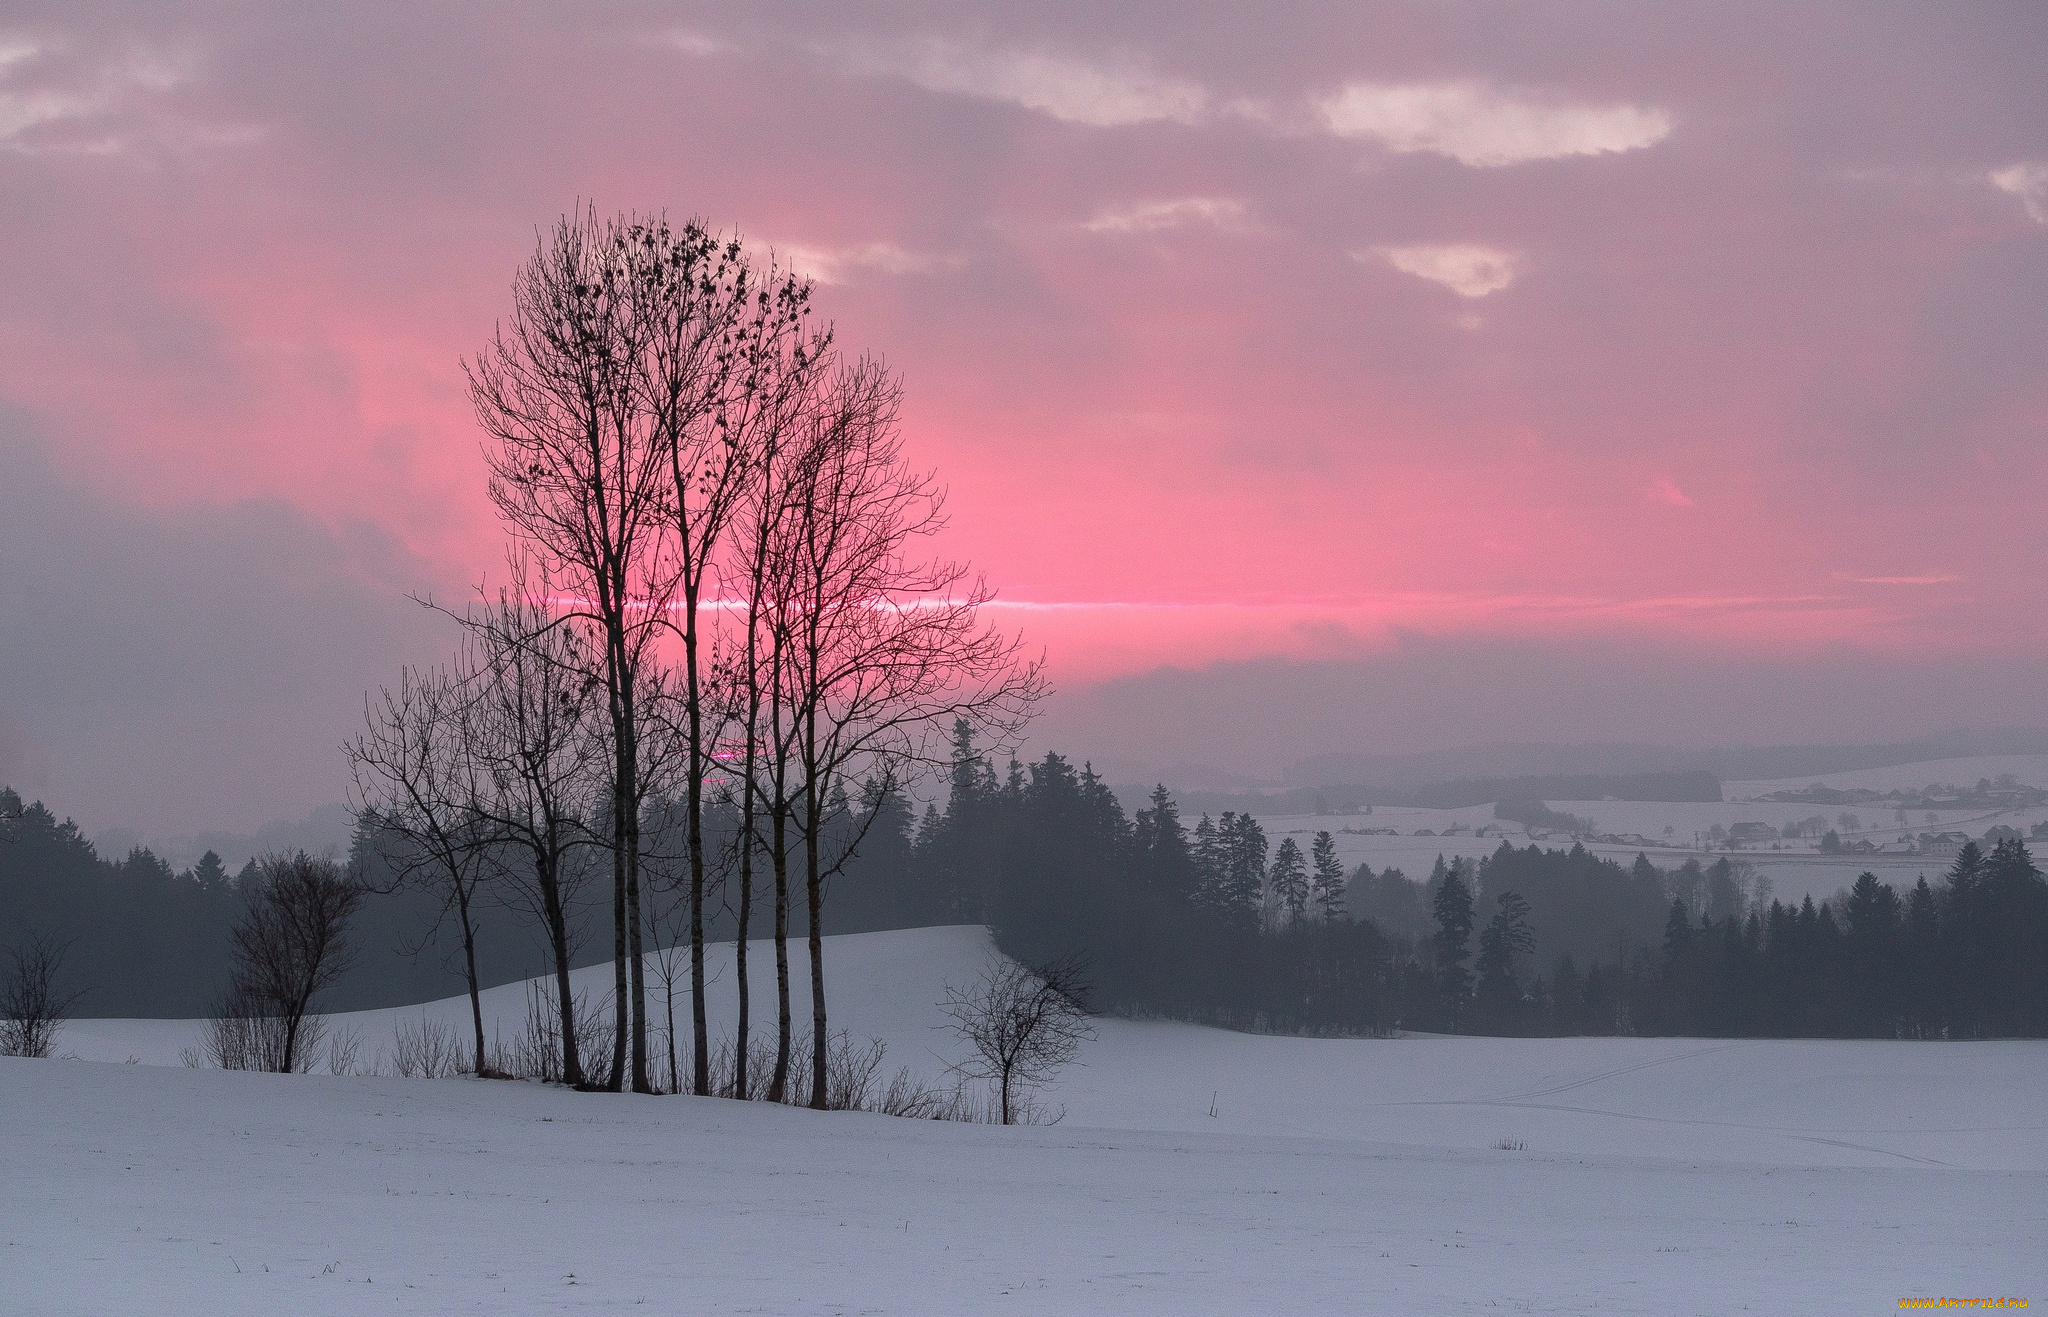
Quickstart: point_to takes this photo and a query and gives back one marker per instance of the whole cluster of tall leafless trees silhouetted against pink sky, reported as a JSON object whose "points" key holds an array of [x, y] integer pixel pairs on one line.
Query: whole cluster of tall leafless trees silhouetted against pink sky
{"points": [[724, 593]]}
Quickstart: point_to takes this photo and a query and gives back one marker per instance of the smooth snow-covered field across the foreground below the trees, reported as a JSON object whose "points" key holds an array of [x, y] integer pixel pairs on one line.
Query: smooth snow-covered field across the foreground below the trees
{"points": [[1654, 1177]]}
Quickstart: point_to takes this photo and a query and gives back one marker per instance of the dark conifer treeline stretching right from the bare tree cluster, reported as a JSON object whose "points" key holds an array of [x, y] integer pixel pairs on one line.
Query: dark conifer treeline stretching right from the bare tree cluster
{"points": [[1211, 923]]}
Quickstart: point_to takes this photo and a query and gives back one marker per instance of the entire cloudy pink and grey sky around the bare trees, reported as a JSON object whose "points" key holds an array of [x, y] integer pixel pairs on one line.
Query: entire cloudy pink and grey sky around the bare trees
{"points": [[1308, 380]]}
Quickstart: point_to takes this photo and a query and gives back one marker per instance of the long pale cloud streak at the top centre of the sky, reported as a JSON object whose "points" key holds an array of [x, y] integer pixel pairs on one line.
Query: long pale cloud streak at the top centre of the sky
{"points": [[1058, 85]]}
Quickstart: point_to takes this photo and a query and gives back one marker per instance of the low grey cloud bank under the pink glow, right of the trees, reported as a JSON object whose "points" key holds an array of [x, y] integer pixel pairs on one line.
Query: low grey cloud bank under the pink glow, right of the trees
{"points": [[1433, 693]]}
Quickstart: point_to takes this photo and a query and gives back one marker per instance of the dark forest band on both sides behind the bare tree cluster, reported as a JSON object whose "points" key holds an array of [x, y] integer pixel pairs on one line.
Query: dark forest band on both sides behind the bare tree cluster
{"points": [[1207, 923]]}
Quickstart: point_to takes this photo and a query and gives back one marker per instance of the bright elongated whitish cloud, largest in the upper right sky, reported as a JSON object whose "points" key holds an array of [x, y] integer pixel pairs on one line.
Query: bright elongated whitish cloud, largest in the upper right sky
{"points": [[1480, 126]]}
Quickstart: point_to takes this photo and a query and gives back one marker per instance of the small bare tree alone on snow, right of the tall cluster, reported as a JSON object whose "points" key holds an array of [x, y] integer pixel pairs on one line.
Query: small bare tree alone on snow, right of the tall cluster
{"points": [[1023, 1025]]}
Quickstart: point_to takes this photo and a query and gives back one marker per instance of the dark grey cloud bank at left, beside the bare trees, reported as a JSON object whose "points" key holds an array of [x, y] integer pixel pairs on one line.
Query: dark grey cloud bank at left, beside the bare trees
{"points": [[185, 671]]}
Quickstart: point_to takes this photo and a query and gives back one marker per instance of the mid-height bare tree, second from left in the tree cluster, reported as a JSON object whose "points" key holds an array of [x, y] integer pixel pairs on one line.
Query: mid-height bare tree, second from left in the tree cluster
{"points": [[542, 759]]}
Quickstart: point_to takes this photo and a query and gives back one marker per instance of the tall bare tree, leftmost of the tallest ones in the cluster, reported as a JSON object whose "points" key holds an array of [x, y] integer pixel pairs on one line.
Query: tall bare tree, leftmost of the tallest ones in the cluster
{"points": [[579, 474]]}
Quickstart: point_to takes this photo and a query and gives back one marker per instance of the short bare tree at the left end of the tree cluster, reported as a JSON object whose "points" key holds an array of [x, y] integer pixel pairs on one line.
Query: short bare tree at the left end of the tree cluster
{"points": [[417, 781]]}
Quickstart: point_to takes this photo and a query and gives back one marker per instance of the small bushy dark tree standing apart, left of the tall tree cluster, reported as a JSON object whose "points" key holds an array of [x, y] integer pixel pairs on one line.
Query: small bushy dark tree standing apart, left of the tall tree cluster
{"points": [[290, 945]]}
